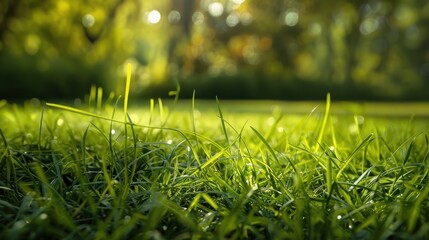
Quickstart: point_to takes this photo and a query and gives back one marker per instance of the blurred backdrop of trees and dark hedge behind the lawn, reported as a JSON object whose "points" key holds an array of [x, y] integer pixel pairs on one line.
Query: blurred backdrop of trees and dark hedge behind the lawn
{"points": [[234, 49]]}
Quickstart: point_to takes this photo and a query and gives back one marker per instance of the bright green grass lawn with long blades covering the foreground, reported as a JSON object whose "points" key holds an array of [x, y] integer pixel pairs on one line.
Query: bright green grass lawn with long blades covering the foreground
{"points": [[178, 171]]}
